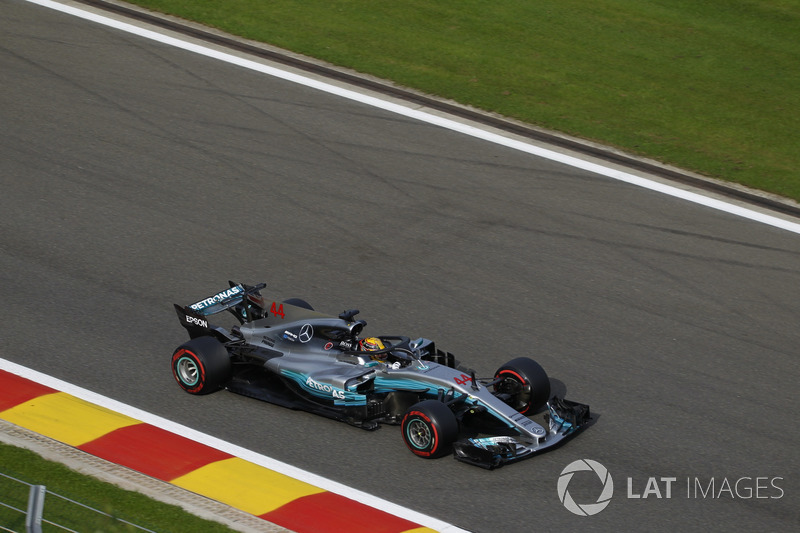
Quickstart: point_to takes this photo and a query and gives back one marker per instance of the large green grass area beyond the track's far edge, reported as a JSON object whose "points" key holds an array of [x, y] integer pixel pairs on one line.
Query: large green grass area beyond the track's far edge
{"points": [[711, 86]]}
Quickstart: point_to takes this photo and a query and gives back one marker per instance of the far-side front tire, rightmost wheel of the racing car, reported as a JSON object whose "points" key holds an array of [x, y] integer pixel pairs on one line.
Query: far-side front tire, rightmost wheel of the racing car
{"points": [[526, 382]]}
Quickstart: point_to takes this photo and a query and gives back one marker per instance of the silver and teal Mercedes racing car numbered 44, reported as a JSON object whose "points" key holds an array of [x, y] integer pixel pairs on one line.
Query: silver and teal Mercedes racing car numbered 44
{"points": [[286, 353]]}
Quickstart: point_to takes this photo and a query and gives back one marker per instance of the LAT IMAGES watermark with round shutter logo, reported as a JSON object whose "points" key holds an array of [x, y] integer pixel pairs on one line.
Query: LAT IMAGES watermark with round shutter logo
{"points": [[658, 487]]}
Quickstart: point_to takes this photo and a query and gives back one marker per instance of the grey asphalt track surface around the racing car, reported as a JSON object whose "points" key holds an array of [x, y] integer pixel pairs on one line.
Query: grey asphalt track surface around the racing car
{"points": [[135, 175]]}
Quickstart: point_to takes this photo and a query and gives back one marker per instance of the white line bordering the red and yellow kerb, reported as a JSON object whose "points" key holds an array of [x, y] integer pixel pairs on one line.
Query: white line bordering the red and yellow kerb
{"points": [[232, 449]]}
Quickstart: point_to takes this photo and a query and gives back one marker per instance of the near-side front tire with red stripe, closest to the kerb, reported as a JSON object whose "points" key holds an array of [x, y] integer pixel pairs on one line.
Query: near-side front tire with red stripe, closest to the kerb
{"points": [[429, 429]]}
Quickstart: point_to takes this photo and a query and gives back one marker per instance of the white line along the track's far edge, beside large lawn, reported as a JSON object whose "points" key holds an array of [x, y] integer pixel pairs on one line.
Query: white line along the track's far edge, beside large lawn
{"points": [[431, 119]]}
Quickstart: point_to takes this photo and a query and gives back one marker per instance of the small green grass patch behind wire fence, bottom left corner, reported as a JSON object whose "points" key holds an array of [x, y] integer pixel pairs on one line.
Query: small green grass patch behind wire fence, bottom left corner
{"points": [[133, 507]]}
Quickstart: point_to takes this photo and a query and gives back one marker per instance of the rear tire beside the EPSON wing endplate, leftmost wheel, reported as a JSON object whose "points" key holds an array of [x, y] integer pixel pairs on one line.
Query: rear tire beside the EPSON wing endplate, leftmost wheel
{"points": [[201, 366]]}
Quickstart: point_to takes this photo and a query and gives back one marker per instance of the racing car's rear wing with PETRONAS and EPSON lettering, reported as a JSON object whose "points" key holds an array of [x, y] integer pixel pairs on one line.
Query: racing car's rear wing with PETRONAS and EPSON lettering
{"points": [[243, 301]]}
